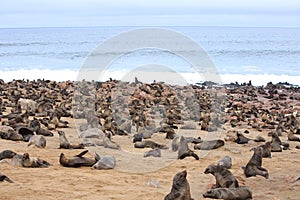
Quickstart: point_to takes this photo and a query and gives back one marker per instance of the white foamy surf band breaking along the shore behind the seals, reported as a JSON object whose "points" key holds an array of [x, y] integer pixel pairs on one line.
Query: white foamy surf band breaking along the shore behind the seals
{"points": [[168, 77]]}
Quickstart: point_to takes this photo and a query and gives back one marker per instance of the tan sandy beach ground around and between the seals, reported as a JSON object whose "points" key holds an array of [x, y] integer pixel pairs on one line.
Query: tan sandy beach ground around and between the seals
{"points": [[136, 177]]}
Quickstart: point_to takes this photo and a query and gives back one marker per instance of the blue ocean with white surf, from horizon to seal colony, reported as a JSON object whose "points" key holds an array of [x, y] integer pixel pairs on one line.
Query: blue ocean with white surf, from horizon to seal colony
{"points": [[238, 54]]}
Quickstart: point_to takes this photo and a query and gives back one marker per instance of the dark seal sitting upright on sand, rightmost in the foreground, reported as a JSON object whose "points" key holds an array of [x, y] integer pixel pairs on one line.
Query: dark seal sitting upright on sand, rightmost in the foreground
{"points": [[254, 167]]}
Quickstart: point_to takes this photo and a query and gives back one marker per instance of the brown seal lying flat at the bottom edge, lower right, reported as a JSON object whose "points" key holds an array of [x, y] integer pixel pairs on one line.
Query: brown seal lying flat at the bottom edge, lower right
{"points": [[239, 193]]}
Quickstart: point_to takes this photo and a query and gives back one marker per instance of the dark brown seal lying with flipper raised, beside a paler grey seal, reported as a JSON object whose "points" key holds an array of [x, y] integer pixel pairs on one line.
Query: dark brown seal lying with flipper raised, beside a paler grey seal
{"points": [[78, 160]]}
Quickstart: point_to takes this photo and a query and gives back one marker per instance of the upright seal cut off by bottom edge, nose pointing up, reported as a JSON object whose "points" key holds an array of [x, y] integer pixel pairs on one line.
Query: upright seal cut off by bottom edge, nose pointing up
{"points": [[180, 188]]}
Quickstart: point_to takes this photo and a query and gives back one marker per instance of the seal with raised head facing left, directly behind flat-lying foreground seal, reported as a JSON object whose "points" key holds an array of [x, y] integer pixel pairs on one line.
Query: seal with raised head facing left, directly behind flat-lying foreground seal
{"points": [[224, 178]]}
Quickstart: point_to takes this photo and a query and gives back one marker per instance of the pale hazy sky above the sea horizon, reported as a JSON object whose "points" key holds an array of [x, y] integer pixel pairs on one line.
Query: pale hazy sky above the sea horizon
{"points": [[57, 13]]}
